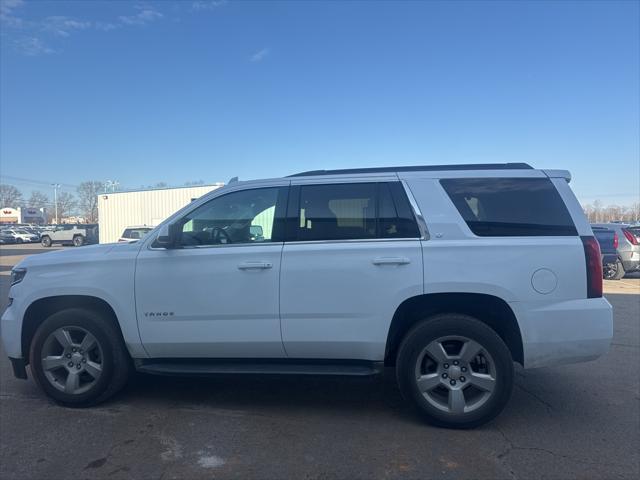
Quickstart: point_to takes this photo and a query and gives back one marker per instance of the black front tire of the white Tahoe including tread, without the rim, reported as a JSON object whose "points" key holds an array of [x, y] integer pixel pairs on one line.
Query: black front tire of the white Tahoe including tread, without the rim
{"points": [[116, 363]]}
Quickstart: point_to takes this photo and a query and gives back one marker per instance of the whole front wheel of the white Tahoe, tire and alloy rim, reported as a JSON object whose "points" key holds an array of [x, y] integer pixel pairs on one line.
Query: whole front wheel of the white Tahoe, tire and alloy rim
{"points": [[78, 358]]}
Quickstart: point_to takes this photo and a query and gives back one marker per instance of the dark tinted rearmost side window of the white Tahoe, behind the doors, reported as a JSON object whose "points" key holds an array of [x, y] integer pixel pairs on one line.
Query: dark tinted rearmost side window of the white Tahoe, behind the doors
{"points": [[499, 207]]}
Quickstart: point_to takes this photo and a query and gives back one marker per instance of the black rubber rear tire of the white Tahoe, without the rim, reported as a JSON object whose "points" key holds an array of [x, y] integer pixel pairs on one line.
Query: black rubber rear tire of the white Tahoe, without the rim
{"points": [[448, 325]]}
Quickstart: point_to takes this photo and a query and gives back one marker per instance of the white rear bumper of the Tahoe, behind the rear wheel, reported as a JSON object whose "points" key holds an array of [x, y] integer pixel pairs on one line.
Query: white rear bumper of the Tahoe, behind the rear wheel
{"points": [[564, 332]]}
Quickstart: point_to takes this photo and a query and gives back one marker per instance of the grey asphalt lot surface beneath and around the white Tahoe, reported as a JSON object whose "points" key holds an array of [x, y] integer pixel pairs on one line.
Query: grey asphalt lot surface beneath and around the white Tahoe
{"points": [[576, 421]]}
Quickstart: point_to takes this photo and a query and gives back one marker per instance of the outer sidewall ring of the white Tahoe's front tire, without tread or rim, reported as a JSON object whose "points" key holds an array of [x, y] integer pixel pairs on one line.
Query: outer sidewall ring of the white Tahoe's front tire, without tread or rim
{"points": [[89, 321]]}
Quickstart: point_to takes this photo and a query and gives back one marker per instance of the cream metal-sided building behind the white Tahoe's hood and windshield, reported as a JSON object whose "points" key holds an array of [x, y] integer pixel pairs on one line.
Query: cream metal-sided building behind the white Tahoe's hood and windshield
{"points": [[119, 210]]}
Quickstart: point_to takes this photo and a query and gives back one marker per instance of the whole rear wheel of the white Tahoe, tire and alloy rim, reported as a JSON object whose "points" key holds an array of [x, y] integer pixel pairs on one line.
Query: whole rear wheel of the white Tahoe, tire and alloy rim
{"points": [[456, 370]]}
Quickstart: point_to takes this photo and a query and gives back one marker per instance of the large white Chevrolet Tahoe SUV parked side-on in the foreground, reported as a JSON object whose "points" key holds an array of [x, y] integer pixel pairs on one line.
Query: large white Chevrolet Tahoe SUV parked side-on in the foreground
{"points": [[447, 273]]}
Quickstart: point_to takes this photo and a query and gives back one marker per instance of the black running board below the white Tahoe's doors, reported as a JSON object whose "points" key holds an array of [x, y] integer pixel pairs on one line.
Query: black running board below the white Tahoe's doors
{"points": [[256, 367]]}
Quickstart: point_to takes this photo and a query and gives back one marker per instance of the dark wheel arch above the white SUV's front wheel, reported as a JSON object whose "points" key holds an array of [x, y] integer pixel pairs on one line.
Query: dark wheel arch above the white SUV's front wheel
{"points": [[43, 308]]}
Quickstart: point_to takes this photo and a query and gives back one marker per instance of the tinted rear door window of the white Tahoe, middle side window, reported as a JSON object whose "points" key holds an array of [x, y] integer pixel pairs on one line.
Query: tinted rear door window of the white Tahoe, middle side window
{"points": [[353, 211]]}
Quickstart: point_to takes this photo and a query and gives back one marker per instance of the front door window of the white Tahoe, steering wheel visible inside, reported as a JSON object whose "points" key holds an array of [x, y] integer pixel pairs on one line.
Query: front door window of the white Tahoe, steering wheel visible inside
{"points": [[247, 216]]}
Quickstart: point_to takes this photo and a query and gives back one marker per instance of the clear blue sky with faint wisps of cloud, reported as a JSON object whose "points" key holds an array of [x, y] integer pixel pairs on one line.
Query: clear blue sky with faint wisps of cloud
{"points": [[198, 90]]}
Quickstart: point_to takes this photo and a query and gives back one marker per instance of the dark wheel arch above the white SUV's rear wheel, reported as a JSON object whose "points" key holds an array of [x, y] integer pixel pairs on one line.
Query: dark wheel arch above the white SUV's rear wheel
{"points": [[489, 309]]}
